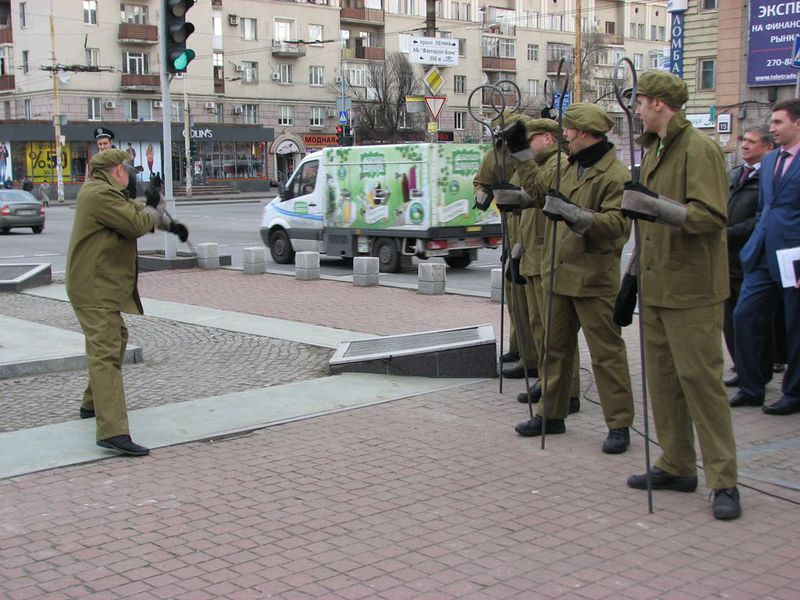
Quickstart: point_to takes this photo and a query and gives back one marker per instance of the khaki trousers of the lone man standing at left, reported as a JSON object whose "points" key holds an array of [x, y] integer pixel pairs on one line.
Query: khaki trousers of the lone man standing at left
{"points": [[106, 340]]}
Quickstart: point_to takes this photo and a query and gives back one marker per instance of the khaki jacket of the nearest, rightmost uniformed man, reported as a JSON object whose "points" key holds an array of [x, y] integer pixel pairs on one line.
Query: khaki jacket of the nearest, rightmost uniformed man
{"points": [[686, 268]]}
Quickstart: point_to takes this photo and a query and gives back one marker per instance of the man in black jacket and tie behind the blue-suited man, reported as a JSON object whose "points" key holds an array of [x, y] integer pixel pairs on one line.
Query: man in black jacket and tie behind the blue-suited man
{"points": [[743, 184]]}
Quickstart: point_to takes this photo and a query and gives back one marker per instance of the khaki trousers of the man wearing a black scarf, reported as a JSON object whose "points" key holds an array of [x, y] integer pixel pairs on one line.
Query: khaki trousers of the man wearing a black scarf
{"points": [[607, 349]]}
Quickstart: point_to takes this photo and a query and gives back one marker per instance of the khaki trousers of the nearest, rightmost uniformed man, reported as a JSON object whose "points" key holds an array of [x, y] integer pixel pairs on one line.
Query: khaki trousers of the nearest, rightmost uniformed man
{"points": [[683, 355]]}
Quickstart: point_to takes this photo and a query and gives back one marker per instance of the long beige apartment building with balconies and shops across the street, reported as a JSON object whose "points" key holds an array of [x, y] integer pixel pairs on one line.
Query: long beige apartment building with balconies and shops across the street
{"points": [[262, 90]]}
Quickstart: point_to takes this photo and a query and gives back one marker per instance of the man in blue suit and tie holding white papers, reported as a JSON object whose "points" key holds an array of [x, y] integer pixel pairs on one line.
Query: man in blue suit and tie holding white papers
{"points": [[777, 227]]}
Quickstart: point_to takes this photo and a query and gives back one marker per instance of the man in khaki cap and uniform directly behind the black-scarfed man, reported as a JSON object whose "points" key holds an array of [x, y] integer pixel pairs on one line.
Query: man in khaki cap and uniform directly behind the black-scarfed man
{"points": [[535, 178]]}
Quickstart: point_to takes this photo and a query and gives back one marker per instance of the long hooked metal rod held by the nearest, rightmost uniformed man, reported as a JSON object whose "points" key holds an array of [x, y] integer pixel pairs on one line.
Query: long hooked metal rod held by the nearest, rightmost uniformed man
{"points": [[627, 107]]}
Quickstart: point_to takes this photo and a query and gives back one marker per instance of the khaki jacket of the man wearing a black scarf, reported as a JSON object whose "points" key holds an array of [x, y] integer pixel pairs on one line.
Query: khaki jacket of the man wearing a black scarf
{"points": [[588, 266]]}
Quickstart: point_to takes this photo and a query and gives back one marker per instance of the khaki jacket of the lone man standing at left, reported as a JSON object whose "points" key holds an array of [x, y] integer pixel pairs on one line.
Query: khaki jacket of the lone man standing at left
{"points": [[102, 255]]}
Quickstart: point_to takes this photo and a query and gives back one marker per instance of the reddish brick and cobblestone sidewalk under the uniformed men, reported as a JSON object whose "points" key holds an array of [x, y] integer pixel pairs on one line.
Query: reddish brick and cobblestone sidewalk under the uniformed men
{"points": [[430, 495]]}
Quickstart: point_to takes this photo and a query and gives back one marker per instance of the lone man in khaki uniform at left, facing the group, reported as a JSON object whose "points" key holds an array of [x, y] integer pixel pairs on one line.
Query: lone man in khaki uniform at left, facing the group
{"points": [[101, 283]]}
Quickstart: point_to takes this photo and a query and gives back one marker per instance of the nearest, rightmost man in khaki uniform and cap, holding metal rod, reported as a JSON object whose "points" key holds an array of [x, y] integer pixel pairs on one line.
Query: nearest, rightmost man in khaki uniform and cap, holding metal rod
{"points": [[681, 204]]}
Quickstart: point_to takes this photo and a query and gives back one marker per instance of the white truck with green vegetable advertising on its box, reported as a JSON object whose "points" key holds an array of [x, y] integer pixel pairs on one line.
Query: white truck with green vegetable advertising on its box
{"points": [[393, 202]]}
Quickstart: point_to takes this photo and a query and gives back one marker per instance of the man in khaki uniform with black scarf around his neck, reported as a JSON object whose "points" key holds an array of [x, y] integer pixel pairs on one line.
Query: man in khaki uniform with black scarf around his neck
{"points": [[590, 233]]}
